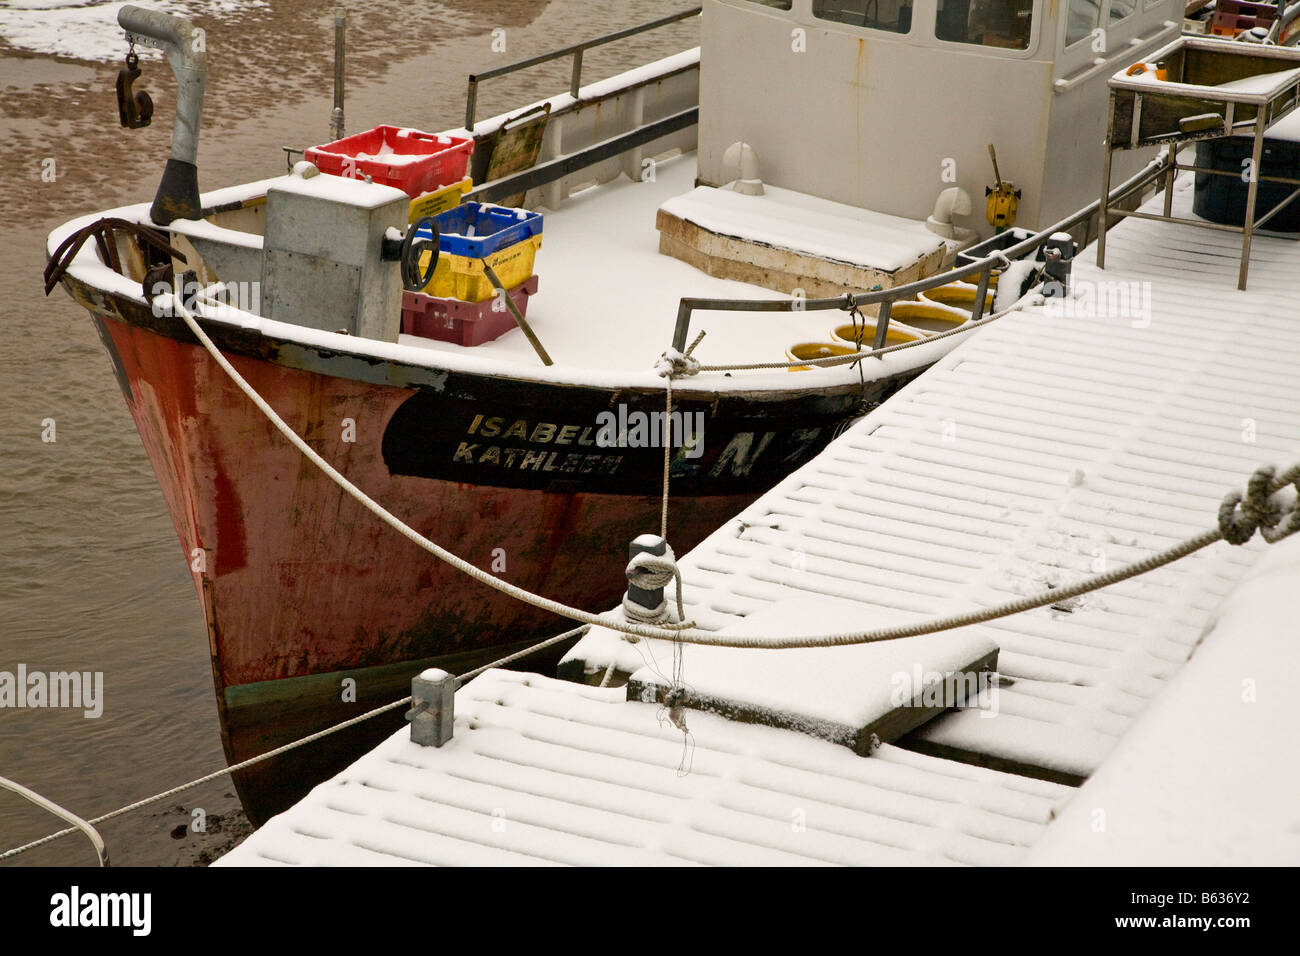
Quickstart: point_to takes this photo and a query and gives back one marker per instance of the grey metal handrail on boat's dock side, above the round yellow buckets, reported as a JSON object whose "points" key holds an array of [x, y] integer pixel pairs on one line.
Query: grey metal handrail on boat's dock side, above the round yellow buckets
{"points": [[887, 297]]}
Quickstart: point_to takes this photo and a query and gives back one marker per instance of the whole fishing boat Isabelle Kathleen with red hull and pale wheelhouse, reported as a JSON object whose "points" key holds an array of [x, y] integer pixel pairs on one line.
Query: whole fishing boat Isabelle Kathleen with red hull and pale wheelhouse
{"points": [[798, 188]]}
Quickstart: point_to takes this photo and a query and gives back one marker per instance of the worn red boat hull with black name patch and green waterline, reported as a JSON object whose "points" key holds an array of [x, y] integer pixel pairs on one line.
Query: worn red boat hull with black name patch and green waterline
{"points": [[315, 609]]}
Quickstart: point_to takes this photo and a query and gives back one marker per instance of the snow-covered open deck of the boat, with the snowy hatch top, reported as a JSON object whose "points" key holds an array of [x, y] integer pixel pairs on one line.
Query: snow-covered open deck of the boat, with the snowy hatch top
{"points": [[609, 300]]}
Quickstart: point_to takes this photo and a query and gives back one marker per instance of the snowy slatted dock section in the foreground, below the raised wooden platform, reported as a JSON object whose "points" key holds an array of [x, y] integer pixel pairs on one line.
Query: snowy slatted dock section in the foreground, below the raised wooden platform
{"points": [[544, 772]]}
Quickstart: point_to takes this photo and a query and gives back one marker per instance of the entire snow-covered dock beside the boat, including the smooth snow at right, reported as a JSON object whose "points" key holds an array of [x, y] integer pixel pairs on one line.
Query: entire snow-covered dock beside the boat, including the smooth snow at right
{"points": [[1055, 444]]}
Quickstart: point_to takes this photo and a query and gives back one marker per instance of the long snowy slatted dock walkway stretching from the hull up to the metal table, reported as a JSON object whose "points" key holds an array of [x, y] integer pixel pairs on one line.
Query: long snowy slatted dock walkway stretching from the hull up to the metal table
{"points": [[1051, 445]]}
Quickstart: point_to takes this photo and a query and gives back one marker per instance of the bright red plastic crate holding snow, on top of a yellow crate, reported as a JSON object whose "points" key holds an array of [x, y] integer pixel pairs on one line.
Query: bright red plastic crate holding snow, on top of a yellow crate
{"points": [[414, 162]]}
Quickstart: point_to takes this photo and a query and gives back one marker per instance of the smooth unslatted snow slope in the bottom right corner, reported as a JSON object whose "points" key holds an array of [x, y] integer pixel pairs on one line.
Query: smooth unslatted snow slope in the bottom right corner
{"points": [[1210, 775]]}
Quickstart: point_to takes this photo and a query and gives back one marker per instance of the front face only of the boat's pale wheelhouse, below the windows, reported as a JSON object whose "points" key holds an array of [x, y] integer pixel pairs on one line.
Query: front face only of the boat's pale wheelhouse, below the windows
{"points": [[866, 118]]}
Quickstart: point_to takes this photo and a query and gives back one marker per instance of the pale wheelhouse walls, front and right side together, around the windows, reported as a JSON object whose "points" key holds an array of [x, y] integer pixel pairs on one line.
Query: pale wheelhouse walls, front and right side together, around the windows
{"points": [[868, 118]]}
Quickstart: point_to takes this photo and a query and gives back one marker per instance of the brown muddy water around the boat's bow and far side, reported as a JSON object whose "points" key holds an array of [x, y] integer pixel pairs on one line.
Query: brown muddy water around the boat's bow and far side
{"points": [[92, 574]]}
